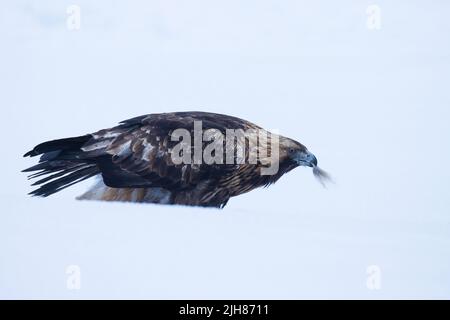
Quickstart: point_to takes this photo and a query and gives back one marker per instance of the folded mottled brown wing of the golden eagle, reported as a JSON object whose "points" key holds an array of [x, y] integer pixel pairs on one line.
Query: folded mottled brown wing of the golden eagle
{"points": [[137, 153]]}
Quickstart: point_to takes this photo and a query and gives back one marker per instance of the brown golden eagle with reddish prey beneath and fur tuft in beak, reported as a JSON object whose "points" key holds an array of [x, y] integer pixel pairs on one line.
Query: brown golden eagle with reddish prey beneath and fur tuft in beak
{"points": [[135, 160]]}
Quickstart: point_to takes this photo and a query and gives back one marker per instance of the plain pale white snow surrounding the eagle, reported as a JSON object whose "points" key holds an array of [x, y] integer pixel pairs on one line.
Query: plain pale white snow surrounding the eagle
{"points": [[372, 104]]}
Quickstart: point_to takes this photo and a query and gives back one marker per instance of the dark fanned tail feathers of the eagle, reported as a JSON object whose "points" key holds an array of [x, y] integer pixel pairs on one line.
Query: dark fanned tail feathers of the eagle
{"points": [[62, 164]]}
